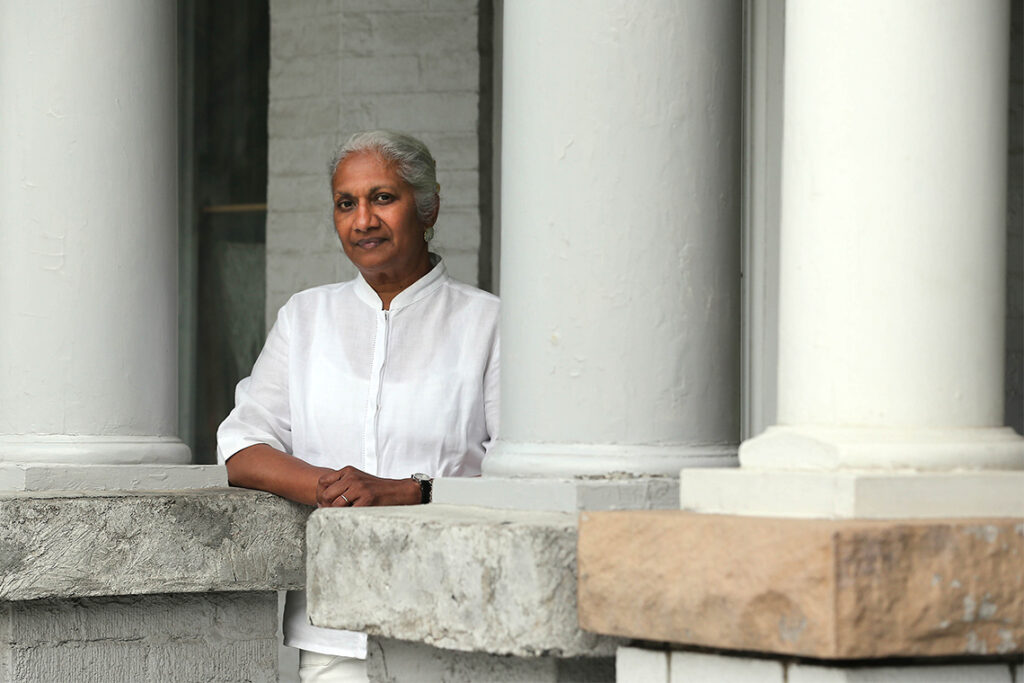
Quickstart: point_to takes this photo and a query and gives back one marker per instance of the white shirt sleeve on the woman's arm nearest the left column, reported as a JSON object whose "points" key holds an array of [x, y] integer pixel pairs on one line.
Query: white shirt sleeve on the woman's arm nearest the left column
{"points": [[263, 411]]}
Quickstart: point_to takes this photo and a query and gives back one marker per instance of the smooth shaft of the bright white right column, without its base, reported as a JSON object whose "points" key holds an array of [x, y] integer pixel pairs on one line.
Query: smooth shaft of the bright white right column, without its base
{"points": [[893, 215]]}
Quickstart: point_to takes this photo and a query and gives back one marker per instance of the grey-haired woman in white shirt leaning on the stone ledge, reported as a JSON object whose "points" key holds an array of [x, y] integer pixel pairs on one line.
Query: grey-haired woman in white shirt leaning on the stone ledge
{"points": [[367, 390]]}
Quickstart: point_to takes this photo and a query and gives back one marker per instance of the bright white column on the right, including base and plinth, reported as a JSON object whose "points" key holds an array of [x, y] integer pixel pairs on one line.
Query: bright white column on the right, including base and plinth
{"points": [[893, 268]]}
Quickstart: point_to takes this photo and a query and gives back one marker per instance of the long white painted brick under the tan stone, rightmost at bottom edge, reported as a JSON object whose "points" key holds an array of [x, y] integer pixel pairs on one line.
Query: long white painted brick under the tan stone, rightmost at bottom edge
{"points": [[995, 673]]}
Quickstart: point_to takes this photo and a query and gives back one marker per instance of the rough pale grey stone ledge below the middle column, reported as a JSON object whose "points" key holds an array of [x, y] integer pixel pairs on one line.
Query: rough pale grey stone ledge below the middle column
{"points": [[458, 578]]}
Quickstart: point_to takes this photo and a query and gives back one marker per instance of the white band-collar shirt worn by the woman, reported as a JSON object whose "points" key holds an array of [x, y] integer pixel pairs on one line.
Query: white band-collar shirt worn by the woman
{"points": [[342, 382]]}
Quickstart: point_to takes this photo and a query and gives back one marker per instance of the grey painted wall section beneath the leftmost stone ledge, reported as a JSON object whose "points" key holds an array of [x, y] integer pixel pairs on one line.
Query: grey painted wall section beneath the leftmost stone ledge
{"points": [[187, 637]]}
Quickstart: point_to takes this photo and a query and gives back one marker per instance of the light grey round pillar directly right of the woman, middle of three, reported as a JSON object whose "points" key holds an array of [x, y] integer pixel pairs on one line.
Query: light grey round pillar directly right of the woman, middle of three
{"points": [[620, 237]]}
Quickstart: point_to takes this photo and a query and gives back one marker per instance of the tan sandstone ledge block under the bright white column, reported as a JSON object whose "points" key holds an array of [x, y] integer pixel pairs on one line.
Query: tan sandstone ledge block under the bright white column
{"points": [[824, 589]]}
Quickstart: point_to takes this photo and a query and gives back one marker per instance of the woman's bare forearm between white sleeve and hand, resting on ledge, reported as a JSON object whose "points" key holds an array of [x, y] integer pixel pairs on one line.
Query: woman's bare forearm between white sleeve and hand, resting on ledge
{"points": [[266, 468]]}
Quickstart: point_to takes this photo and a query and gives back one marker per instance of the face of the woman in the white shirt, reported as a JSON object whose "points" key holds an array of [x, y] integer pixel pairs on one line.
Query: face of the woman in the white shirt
{"points": [[376, 219]]}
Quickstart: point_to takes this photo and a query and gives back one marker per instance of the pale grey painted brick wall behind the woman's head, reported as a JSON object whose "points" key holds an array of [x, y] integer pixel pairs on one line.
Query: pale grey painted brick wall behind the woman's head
{"points": [[343, 66]]}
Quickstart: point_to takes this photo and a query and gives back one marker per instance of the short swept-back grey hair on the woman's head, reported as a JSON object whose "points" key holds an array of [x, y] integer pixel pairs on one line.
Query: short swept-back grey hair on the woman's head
{"points": [[411, 158]]}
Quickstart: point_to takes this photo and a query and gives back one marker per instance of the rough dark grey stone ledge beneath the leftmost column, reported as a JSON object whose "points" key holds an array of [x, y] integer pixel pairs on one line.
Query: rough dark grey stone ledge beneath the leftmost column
{"points": [[77, 545]]}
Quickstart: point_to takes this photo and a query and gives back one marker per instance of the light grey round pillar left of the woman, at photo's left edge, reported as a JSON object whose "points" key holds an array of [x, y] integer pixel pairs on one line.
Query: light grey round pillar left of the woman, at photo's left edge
{"points": [[89, 233]]}
